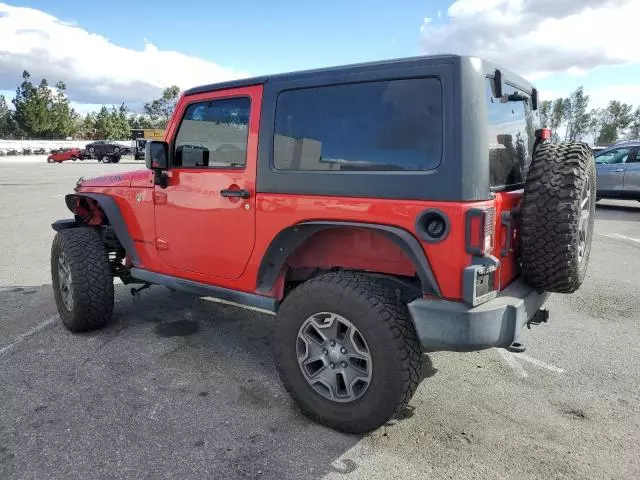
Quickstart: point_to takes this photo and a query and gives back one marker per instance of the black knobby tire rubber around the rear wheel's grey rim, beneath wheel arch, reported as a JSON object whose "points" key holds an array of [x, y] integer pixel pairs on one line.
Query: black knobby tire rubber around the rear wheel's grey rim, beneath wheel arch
{"points": [[385, 324]]}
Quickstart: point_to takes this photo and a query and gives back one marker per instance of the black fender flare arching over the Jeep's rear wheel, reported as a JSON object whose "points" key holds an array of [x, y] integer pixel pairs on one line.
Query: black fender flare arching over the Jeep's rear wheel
{"points": [[289, 239]]}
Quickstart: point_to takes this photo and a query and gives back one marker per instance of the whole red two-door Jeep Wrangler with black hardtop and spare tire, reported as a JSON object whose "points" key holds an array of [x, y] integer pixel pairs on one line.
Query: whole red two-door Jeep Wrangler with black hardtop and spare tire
{"points": [[379, 211]]}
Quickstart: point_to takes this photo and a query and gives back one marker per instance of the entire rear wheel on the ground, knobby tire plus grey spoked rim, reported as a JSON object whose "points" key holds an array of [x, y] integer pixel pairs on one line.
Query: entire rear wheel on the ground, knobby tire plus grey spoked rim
{"points": [[340, 323]]}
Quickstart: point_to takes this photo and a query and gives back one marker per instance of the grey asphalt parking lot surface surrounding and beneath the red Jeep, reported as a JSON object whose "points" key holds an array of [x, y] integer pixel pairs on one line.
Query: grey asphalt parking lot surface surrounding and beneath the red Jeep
{"points": [[179, 387]]}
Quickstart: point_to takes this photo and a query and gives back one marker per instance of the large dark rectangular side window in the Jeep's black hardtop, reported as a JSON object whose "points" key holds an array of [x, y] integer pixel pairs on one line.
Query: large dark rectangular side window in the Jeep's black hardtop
{"points": [[386, 125]]}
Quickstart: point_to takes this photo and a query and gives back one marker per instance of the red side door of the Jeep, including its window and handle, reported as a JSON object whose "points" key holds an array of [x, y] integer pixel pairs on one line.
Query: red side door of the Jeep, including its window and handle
{"points": [[205, 217]]}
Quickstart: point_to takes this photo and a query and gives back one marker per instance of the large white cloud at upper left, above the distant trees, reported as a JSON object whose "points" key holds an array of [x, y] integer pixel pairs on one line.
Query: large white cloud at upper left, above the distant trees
{"points": [[94, 69]]}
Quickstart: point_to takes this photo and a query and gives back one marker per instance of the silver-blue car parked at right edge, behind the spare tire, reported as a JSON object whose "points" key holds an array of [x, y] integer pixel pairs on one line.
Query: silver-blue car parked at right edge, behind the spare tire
{"points": [[618, 169]]}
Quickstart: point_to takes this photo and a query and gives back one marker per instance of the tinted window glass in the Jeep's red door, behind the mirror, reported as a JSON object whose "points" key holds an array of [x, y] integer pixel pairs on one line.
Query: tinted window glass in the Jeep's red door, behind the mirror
{"points": [[213, 134]]}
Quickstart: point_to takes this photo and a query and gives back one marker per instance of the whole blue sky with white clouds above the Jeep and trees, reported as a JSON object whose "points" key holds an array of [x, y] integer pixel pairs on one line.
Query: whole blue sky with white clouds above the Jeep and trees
{"points": [[128, 51]]}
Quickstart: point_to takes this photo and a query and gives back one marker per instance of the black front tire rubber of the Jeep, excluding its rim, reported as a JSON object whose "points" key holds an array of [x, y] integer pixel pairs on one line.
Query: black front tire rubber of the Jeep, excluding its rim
{"points": [[92, 281]]}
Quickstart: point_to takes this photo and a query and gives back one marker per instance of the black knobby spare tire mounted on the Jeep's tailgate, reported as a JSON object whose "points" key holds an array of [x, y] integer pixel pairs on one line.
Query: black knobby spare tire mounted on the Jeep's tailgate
{"points": [[551, 207]]}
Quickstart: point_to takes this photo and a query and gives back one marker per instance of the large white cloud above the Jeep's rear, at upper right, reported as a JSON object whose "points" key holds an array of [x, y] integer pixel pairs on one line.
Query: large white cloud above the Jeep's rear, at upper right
{"points": [[539, 37]]}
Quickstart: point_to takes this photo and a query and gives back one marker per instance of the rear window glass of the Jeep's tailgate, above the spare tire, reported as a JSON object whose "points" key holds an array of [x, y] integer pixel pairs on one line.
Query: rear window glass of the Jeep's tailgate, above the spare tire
{"points": [[512, 125]]}
